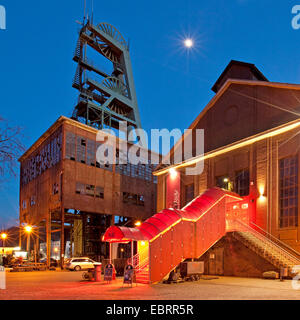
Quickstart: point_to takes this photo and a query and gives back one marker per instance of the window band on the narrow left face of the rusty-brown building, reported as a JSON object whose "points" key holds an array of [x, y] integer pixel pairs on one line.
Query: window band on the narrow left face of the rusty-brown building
{"points": [[46, 157]]}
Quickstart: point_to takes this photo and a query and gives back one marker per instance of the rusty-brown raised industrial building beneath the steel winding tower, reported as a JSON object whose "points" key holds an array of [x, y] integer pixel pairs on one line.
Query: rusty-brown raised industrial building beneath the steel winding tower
{"points": [[66, 191]]}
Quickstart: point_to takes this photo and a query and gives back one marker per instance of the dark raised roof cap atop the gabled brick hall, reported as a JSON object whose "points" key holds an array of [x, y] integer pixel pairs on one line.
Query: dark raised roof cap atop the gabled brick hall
{"points": [[226, 73]]}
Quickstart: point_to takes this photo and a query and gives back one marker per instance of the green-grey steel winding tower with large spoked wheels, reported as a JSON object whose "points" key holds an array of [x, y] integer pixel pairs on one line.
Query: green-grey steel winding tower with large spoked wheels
{"points": [[105, 98]]}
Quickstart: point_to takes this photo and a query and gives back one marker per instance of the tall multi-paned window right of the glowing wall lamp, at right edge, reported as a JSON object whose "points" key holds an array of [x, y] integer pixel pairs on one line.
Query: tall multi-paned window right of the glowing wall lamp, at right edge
{"points": [[288, 194]]}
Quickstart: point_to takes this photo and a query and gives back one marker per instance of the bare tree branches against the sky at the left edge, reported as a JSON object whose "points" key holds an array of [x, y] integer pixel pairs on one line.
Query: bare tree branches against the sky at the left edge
{"points": [[11, 148]]}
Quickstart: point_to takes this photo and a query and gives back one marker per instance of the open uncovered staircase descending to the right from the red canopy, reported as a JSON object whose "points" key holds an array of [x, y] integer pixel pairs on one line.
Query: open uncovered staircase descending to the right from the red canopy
{"points": [[279, 254]]}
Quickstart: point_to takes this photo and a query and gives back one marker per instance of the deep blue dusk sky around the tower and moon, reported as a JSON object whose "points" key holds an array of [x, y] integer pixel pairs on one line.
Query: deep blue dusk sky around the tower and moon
{"points": [[173, 84]]}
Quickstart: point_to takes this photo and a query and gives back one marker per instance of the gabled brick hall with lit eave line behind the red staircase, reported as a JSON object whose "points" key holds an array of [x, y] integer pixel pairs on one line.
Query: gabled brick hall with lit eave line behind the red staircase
{"points": [[251, 147]]}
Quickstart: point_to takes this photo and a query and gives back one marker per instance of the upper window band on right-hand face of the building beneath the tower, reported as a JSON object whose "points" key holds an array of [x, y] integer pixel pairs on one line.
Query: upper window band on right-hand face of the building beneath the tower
{"points": [[84, 150]]}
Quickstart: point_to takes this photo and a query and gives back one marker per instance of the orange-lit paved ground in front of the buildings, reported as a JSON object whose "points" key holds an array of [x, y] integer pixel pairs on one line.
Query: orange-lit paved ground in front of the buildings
{"points": [[68, 285]]}
